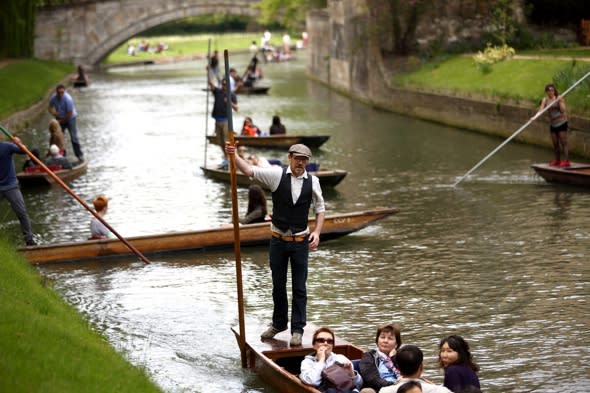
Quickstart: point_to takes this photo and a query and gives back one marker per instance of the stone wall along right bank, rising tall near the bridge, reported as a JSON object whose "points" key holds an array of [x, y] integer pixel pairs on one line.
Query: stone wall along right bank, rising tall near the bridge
{"points": [[342, 57]]}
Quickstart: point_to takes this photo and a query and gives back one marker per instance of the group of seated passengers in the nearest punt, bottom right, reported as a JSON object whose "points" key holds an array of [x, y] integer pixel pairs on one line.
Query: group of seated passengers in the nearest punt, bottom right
{"points": [[391, 367]]}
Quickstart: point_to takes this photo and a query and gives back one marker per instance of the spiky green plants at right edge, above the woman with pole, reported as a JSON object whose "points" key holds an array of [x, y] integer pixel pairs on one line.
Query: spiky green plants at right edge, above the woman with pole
{"points": [[567, 76]]}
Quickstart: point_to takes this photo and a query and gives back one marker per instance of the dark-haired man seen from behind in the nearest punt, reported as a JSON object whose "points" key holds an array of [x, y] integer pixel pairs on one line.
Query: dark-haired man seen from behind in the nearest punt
{"points": [[410, 360]]}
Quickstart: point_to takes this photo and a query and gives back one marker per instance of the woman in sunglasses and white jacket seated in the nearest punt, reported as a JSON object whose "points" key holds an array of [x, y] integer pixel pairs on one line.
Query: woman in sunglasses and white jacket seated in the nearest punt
{"points": [[323, 357]]}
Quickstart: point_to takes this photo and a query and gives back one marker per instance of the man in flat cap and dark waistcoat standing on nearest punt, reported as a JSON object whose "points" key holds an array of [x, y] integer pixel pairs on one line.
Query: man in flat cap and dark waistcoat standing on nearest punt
{"points": [[294, 191]]}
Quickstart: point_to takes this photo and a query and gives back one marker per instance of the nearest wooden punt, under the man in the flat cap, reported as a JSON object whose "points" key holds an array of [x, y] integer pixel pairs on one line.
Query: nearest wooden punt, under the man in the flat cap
{"points": [[277, 363]]}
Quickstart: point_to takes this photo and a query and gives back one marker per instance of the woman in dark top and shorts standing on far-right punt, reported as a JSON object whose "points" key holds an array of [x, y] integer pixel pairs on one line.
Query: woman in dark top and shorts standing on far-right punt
{"points": [[558, 128]]}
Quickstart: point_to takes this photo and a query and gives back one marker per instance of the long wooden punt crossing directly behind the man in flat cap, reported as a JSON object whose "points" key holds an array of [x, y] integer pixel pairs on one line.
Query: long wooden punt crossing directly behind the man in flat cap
{"points": [[335, 226]]}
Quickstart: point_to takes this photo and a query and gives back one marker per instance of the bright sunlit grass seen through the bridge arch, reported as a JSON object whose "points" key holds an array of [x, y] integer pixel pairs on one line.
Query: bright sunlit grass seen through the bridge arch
{"points": [[184, 46]]}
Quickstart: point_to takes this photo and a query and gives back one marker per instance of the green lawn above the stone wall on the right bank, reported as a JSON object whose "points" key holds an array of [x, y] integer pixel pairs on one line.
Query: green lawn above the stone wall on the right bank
{"points": [[521, 81]]}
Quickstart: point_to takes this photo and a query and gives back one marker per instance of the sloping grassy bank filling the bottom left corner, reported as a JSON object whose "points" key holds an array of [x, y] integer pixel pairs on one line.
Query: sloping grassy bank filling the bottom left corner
{"points": [[47, 346]]}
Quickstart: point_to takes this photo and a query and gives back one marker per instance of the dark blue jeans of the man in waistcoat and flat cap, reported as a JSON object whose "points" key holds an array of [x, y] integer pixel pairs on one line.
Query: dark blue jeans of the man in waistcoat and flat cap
{"points": [[280, 253]]}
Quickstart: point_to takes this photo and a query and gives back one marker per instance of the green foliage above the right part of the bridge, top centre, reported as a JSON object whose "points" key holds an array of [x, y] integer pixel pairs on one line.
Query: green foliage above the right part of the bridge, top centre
{"points": [[288, 13]]}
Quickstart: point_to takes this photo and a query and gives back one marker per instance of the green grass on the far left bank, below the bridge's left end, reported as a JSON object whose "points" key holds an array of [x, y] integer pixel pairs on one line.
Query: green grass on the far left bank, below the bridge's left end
{"points": [[25, 82]]}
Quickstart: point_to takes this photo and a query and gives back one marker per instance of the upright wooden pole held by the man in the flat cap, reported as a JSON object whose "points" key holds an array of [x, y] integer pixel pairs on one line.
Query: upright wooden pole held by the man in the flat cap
{"points": [[235, 218]]}
